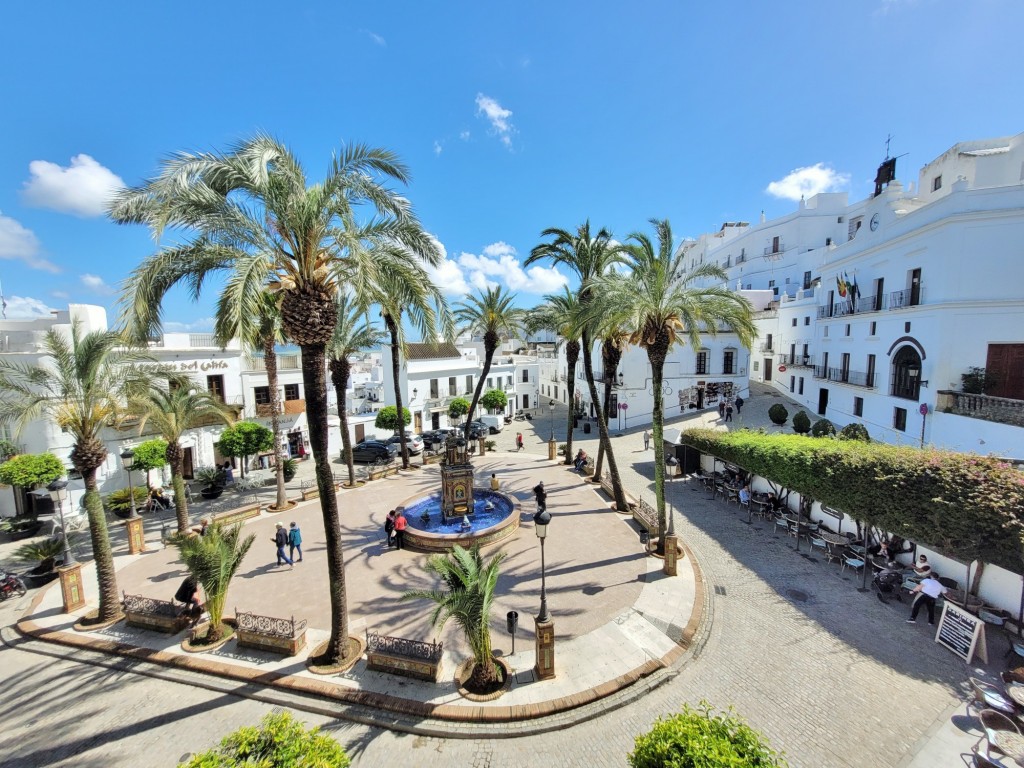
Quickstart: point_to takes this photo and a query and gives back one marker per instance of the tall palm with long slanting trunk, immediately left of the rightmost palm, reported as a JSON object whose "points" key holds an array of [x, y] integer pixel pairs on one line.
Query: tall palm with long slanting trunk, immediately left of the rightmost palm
{"points": [[589, 258]]}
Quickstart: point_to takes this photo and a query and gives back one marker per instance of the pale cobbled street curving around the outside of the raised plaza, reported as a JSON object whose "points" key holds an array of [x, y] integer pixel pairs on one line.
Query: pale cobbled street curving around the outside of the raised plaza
{"points": [[832, 676]]}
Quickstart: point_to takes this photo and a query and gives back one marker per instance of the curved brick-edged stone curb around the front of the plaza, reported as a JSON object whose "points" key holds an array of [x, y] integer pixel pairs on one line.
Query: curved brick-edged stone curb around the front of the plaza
{"points": [[413, 716]]}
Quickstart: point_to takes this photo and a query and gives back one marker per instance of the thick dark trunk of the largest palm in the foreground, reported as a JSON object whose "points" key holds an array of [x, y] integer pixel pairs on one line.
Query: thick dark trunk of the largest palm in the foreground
{"points": [[315, 382]]}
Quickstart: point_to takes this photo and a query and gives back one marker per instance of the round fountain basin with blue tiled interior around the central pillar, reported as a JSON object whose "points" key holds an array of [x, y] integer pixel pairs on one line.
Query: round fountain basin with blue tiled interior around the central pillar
{"points": [[436, 536]]}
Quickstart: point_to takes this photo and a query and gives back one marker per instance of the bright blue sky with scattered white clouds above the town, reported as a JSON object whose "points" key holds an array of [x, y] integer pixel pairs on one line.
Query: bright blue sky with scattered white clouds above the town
{"points": [[513, 117]]}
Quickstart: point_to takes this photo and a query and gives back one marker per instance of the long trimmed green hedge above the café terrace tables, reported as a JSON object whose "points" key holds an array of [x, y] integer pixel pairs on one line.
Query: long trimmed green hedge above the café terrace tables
{"points": [[967, 506]]}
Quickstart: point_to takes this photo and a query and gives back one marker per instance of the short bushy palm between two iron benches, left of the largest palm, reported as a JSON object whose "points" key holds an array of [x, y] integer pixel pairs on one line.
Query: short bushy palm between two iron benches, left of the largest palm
{"points": [[214, 560]]}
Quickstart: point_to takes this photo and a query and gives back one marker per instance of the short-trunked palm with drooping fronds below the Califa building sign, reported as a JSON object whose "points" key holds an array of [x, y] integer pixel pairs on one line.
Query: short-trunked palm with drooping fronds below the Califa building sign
{"points": [[172, 410]]}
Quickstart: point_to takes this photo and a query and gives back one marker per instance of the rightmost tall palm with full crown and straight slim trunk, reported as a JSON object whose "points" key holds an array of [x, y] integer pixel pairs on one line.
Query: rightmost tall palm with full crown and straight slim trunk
{"points": [[663, 307]]}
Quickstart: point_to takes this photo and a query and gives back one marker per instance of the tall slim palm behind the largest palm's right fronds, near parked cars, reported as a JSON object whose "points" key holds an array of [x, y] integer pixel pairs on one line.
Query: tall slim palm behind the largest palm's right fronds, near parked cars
{"points": [[409, 292]]}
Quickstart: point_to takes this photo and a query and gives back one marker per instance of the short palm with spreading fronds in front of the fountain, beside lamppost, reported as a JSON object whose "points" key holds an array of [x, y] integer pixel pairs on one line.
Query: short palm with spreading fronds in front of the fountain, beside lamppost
{"points": [[467, 594]]}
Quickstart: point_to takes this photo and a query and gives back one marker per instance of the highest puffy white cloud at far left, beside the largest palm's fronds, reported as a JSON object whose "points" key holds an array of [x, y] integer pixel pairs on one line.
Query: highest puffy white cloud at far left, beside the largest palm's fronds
{"points": [[82, 189]]}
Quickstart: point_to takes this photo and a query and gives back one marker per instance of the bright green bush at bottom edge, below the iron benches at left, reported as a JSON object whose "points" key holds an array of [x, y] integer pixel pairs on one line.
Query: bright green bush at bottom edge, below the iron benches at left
{"points": [[280, 742]]}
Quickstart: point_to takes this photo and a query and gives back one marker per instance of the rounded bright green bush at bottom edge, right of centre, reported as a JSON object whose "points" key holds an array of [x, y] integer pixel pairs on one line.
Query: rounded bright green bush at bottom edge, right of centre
{"points": [[702, 739]]}
